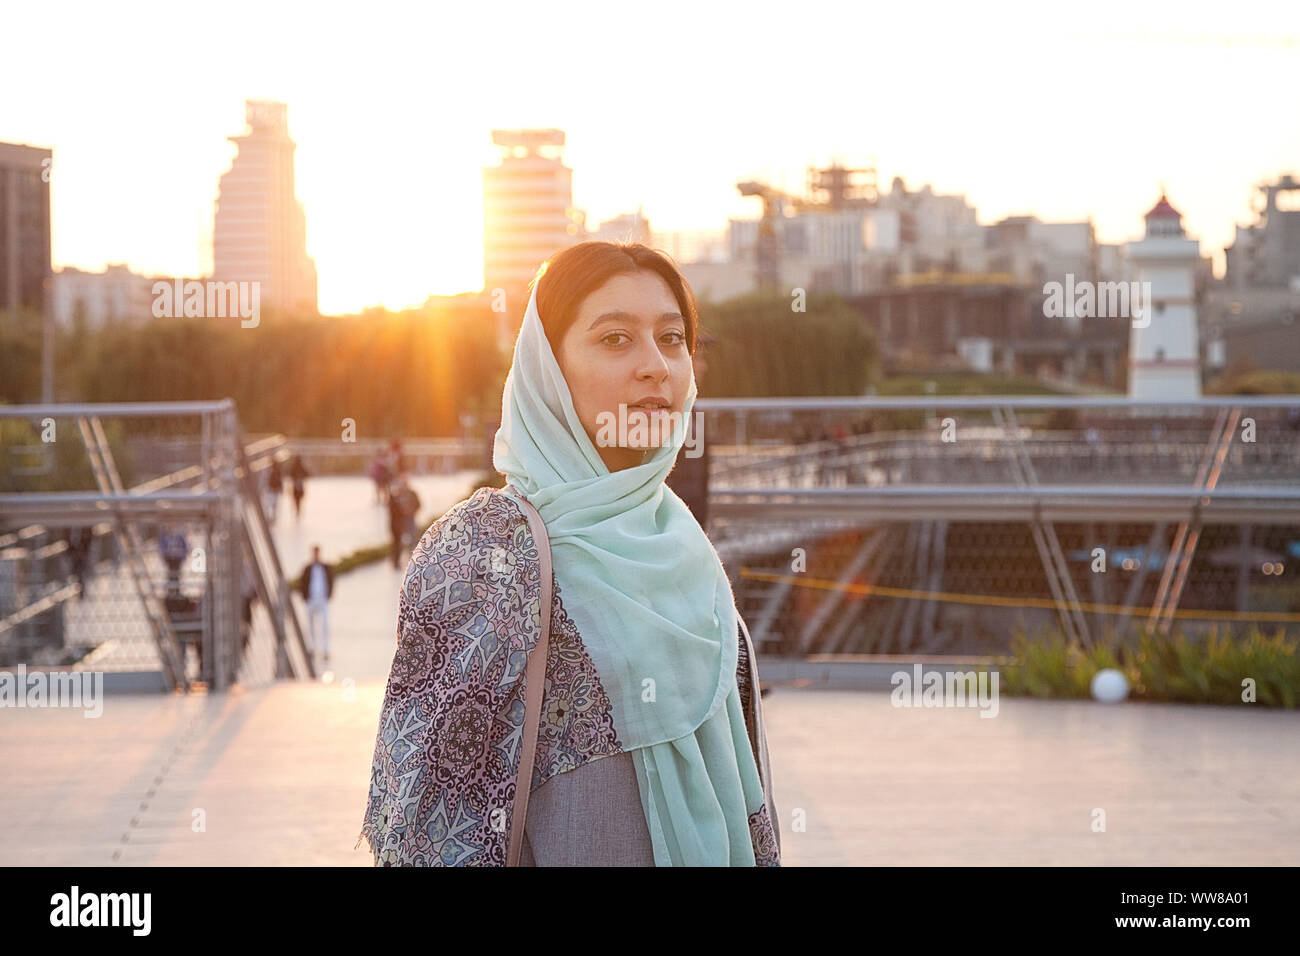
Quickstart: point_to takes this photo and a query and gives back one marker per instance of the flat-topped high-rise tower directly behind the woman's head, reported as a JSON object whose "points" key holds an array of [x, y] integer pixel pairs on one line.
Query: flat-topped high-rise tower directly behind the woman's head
{"points": [[528, 207]]}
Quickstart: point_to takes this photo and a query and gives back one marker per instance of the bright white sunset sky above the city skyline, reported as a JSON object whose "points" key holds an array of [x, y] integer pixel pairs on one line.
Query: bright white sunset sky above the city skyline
{"points": [[666, 106]]}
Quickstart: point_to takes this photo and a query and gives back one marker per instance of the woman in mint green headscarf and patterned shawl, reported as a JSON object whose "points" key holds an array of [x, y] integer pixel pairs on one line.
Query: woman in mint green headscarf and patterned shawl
{"points": [[651, 749]]}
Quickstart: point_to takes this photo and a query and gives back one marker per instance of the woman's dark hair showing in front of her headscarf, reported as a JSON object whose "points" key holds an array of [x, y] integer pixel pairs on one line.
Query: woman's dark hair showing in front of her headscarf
{"points": [[574, 274]]}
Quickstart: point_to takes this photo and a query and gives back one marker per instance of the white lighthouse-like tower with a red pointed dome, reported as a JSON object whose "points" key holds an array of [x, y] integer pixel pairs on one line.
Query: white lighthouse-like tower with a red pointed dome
{"points": [[1164, 352]]}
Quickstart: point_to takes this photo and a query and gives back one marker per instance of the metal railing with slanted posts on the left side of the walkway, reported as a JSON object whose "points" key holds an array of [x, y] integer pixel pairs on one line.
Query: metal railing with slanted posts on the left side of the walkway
{"points": [[137, 618]]}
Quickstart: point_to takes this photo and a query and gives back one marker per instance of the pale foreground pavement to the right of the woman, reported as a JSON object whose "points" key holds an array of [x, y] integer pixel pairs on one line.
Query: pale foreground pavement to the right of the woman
{"points": [[1181, 786]]}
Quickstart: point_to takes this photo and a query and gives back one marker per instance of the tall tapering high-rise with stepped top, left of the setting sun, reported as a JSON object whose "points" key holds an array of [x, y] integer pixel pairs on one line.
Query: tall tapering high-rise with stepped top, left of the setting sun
{"points": [[261, 231]]}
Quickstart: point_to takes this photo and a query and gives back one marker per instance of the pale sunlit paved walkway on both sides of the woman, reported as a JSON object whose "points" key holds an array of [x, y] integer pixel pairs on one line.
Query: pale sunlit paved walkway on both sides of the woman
{"points": [[279, 775]]}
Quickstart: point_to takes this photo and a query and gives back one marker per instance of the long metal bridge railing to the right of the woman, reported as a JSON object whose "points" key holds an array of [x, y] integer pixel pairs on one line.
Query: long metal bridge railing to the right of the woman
{"points": [[886, 525]]}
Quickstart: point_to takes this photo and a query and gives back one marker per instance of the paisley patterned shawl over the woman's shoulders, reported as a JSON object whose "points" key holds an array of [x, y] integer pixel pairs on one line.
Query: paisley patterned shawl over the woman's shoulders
{"points": [[443, 781]]}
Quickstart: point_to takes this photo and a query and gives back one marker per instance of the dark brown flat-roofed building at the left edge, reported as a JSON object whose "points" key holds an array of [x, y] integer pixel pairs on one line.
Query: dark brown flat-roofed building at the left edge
{"points": [[25, 265]]}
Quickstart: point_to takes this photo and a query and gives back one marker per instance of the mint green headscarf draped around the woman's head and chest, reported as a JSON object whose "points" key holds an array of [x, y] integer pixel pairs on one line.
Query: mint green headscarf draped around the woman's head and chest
{"points": [[652, 602]]}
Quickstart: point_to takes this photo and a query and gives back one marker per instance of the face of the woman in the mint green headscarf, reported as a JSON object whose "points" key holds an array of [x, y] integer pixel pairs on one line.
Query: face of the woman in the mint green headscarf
{"points": [[627, 347]]}
